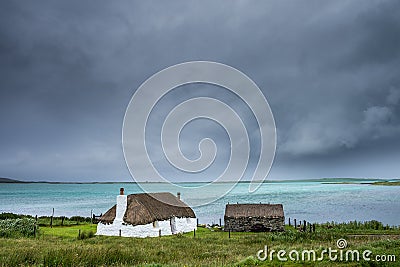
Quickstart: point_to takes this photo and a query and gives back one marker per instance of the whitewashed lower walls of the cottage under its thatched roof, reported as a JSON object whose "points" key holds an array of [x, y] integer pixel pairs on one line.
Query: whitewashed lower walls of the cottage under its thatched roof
{"points": [[148, 230]]}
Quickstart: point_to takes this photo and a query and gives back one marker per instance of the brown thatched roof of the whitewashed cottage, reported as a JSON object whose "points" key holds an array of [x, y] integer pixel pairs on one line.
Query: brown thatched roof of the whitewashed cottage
{"points": [[149, 207]]}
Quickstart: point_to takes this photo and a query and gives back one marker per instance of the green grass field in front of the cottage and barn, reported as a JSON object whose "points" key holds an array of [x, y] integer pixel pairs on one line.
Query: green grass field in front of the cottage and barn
{"points": [[60, 246]]}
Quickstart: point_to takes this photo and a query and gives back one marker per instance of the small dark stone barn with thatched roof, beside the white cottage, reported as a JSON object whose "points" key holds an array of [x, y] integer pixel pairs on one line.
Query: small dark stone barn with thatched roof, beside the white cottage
{"points": [[254, 218]]}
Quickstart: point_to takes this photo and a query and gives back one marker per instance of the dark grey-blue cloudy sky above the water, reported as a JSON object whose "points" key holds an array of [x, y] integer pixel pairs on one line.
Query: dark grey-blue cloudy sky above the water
{"points": [[330, 71]]}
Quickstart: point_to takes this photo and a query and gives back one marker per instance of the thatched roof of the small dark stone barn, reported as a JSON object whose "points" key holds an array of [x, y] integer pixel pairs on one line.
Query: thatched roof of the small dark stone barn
{"points": [[254, 210]]}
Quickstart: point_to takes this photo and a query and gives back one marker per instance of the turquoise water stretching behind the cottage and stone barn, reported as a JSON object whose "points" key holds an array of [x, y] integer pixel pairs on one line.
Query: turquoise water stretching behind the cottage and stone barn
{"points": [[311, 201]]}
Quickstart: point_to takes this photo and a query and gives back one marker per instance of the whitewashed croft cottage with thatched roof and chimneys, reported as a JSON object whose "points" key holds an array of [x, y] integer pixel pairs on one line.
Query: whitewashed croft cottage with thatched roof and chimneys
{"points": [[146, 215]]}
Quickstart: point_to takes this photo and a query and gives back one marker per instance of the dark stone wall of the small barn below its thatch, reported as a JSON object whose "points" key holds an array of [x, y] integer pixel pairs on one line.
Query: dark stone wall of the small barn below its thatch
{"points": [[254, 224]]}
